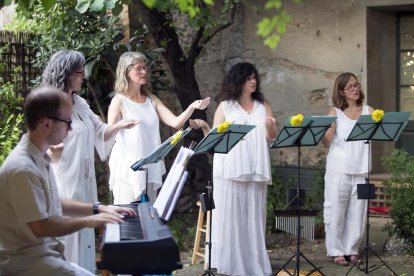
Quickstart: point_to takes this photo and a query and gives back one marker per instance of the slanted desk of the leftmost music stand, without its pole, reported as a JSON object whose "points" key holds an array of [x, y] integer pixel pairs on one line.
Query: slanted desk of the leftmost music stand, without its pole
{"points": [[160, 152]]}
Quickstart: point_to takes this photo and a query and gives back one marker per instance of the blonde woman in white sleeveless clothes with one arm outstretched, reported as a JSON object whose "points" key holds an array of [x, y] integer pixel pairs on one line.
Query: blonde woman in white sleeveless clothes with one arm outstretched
{"points": [[134, 101]]}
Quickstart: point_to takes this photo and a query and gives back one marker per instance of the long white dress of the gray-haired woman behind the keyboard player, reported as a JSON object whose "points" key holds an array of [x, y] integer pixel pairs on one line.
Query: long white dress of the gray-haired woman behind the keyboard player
{"points": [[75, 176]]}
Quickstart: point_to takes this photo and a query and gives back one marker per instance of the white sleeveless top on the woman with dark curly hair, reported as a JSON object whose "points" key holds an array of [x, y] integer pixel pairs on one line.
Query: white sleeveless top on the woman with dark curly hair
{"points": [[249, 159]]}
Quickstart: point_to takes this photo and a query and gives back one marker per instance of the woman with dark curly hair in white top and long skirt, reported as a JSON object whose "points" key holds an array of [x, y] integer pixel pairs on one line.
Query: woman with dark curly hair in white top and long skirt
{"points": [[241, 176]]}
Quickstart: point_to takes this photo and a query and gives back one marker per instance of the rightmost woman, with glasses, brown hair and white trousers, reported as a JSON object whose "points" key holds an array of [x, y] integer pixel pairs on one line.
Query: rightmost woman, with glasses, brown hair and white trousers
{"points": [[346, 166]]}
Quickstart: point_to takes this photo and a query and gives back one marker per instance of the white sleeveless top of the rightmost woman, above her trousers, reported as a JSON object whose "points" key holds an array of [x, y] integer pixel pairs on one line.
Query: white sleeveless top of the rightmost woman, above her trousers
{"points": [[347, 157]]}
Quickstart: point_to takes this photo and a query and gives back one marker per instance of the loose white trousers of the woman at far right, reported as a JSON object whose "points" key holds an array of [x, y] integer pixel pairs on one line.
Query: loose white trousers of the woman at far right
{"points": [[344, 214]]}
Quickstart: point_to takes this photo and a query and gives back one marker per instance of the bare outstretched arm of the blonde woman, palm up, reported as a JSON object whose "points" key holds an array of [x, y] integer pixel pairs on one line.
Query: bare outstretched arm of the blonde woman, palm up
{"points": [[167, 117]]}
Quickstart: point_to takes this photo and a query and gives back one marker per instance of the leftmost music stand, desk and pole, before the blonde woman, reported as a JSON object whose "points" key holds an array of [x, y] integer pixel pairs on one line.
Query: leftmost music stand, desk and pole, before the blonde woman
{"points": [[155, 156]]}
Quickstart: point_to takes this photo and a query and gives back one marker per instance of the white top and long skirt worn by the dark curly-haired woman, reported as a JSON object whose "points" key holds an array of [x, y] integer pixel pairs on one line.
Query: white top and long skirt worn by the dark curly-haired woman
{"points": [[240, 186]]}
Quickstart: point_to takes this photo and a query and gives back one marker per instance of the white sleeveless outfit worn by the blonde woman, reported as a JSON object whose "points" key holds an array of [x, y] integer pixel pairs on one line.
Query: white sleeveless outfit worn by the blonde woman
{"points": [[132, 145]]}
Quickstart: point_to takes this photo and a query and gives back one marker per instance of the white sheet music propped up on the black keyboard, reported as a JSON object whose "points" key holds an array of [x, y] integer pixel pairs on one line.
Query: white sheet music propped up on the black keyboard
{"points": [[173, 184]]}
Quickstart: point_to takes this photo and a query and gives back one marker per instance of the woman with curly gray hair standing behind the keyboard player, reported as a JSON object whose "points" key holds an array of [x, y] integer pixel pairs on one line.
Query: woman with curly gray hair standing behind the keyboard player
{"points": [[73, 160]]}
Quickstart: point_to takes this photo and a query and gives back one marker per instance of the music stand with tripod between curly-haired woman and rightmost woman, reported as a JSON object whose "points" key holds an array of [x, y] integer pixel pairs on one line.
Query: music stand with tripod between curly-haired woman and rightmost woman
{"points": [[309, 133]]}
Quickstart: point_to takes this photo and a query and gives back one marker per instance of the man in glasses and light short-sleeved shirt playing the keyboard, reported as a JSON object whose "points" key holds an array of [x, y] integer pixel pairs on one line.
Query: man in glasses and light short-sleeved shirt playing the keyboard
{"points": [[32, 215]]}
